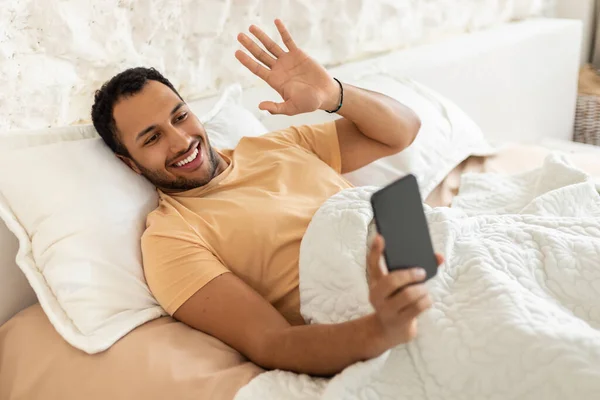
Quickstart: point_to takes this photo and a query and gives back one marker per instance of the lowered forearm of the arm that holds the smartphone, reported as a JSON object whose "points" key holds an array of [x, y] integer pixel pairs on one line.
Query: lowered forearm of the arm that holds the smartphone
{"points": [[322, 349]]}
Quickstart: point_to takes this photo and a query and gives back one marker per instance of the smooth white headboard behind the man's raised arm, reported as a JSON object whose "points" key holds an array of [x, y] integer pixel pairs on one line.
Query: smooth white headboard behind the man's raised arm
{"points": [[518, 81]]}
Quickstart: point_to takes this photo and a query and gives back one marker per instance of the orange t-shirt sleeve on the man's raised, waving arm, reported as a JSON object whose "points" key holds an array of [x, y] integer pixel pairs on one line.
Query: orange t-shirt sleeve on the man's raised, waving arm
{"points": [[320, 139]]}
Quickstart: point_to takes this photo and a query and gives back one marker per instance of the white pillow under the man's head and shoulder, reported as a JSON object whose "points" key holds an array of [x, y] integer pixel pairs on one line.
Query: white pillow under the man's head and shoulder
{"points": [[78, 213]]}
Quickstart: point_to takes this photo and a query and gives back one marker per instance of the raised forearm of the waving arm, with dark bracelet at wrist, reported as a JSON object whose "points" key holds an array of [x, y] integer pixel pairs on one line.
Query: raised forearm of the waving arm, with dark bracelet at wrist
{"points": [[378, 116]]}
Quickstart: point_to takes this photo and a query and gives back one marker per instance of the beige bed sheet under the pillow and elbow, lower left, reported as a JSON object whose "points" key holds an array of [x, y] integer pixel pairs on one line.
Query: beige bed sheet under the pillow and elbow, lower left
{"points": [[162, 359]]}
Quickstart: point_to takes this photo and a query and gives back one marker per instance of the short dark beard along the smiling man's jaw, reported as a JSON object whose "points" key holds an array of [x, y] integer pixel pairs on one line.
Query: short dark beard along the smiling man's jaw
{"points": [[164, 182]]}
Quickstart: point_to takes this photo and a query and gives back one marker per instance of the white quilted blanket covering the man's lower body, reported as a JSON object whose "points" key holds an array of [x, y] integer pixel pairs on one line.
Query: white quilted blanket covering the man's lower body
{"points": [[516, 308]]}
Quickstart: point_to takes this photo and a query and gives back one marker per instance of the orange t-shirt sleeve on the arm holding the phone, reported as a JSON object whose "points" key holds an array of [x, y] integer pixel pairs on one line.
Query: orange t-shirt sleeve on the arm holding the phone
{"points": [[176, 265]]}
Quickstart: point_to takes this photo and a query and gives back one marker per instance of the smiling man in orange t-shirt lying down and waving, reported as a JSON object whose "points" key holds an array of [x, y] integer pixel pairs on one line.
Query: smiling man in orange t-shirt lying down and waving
{"points": [[221, 250]]}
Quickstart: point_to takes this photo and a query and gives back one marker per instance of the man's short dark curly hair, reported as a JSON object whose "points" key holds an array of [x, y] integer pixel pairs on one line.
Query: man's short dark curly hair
{"points": [[126, 83]]}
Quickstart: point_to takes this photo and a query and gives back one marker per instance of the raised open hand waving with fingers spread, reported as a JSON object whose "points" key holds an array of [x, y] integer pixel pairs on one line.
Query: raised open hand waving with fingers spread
{"points": [[303, 83]]}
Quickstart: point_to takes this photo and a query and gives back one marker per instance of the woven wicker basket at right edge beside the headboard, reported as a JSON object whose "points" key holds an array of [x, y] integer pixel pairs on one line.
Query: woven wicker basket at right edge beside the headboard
{"points": [[587, 120]]}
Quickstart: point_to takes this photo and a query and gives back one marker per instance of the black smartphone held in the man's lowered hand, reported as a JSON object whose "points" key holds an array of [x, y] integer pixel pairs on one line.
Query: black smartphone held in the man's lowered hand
{"points": [[400, 219]]}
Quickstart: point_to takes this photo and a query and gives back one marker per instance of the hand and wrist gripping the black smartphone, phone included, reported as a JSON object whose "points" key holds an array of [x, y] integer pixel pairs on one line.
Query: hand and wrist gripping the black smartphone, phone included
{"points": [[398, 293]]}
